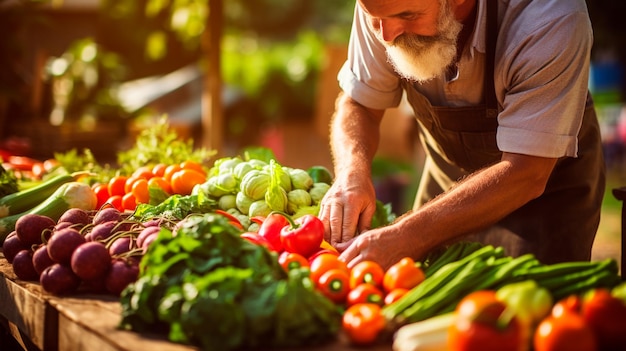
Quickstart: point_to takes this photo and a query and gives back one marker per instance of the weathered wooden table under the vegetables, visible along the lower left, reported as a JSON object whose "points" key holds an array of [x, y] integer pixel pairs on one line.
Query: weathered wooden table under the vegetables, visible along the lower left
{"points": [[40, 321]]}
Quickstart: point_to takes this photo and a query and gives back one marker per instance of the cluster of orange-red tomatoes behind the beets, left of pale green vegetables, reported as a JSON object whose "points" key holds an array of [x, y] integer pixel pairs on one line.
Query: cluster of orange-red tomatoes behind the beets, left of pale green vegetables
{"points": [[124, 192]]}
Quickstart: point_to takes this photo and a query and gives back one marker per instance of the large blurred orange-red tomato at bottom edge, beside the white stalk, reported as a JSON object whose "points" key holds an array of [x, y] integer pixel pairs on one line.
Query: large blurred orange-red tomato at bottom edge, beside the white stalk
{"points": [[478, 325]]}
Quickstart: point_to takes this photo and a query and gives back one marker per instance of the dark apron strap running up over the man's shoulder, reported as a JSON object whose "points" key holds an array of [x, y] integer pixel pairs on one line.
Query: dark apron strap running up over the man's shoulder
{"points": [[491, 101]]}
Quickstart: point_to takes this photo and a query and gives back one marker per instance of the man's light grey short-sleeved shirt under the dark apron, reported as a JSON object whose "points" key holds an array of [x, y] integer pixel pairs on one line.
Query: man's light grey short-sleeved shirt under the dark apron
{"points": [[541, 73]]}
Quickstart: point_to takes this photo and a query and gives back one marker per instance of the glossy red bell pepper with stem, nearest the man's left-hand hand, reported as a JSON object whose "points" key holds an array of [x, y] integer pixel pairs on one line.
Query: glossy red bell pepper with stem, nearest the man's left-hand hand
{"points": [[303, 236]]}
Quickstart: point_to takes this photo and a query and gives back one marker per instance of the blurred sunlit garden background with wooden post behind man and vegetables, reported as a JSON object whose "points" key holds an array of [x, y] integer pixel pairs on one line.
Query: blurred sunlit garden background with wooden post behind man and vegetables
{"points": [[230, 74]]}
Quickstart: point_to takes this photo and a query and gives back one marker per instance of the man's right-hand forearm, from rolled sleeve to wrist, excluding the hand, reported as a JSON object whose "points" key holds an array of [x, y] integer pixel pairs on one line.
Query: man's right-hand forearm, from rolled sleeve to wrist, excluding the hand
{"points": [[479, 201]]}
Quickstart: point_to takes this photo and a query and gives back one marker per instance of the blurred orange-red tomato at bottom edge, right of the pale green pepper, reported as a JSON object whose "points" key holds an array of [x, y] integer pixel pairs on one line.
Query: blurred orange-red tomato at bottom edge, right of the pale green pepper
{"points": [[566, 331]]}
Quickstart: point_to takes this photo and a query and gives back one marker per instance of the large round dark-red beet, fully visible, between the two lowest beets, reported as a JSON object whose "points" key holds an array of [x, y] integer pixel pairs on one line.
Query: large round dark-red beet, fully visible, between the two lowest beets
{"points": [[91, 260]]}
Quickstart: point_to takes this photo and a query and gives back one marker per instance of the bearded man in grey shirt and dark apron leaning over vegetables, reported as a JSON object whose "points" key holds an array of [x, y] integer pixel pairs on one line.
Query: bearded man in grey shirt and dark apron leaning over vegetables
{"points": [[499, 91]]}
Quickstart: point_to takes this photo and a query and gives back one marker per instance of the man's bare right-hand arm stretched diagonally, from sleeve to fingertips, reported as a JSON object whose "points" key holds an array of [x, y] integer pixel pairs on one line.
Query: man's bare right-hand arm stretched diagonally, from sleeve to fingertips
{"points": [[475, 203]]}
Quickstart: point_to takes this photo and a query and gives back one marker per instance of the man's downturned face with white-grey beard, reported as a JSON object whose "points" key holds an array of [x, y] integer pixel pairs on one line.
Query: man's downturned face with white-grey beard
{"points": [[418, 57]]}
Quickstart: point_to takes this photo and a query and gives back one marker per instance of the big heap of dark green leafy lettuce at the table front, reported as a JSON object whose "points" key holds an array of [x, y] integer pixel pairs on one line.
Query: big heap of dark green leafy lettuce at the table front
{"points": [[208, 287]]}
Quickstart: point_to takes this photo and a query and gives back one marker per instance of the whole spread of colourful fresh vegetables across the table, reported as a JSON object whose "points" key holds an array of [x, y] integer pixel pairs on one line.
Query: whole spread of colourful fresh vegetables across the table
{"points": [[230, 254]]}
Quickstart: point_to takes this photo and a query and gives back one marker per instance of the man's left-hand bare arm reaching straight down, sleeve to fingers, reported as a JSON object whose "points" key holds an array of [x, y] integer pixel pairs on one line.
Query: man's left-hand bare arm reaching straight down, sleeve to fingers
{"points": [[349, 205]]}
